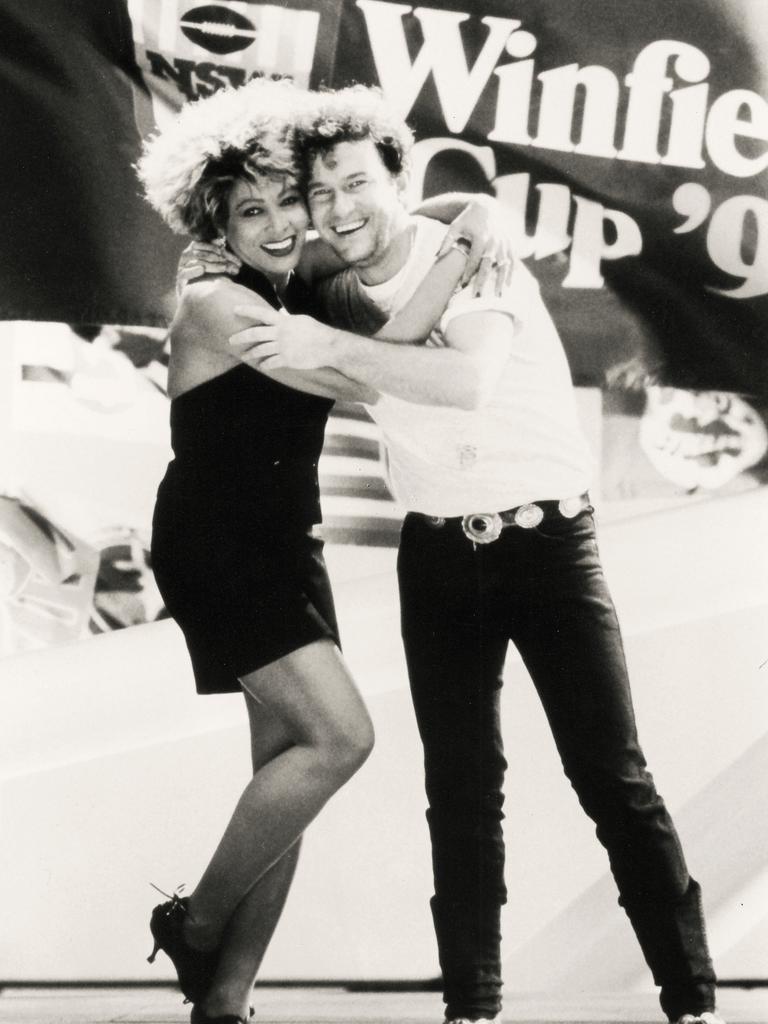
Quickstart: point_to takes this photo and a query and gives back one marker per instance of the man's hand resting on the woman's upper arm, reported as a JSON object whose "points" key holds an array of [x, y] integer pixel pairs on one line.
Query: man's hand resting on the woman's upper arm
{"points": [[278, 340]]}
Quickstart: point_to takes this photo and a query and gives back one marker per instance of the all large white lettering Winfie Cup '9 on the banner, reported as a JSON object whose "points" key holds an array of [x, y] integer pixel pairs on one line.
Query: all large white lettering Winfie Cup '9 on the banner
{"points": [[669, 121]]}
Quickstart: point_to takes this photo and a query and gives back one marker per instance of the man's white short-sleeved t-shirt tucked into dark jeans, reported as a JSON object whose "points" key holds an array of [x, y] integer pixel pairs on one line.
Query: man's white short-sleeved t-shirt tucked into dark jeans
{"points": [[524, 446]]}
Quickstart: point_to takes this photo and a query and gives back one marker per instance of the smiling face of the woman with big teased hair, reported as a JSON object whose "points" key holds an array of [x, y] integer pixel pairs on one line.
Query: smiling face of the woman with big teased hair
{"points": [[268, 224]]}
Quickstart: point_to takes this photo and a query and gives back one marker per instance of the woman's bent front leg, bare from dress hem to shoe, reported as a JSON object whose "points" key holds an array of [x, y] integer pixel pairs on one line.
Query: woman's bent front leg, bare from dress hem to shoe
{"points": [[313, 695]]}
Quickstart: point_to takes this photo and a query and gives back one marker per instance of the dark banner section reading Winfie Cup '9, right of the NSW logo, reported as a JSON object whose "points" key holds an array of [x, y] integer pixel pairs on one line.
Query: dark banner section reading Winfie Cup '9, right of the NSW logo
{"points": [[629, 140]]}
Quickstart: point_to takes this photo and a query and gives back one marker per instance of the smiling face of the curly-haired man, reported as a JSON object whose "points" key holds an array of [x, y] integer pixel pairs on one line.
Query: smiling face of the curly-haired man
{"points": [[357, 206]]}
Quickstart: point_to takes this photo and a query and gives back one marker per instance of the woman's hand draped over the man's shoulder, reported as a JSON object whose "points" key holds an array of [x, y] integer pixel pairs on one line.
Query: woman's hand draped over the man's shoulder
{"points": [[484, 226]]}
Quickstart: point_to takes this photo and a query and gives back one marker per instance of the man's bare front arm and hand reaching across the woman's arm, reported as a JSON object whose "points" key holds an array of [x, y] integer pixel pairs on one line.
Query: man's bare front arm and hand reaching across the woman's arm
{"points": [[463, 375]]}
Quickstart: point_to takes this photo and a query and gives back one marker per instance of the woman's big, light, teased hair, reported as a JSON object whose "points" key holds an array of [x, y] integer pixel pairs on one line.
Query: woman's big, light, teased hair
{"points": [[188, 169]]}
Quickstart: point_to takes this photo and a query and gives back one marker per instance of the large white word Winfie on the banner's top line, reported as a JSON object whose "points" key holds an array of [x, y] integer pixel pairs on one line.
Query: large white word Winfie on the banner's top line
{"points": [[653, 101]]}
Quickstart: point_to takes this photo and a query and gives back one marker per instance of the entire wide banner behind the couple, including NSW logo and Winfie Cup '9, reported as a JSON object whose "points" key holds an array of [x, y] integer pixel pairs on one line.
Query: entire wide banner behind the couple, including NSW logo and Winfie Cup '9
{"points": [[628, 141]]}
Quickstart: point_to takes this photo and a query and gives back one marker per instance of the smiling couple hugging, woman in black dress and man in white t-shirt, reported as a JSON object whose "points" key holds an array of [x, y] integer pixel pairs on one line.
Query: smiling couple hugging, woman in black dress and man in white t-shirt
{"points": [[445, 338]]}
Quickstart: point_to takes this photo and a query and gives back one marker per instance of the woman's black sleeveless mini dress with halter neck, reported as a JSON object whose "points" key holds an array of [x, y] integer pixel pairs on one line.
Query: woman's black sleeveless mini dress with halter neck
{"points": [[233, 549]]}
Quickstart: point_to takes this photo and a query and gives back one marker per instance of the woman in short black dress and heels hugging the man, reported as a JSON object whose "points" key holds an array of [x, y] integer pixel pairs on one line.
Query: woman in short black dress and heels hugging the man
{"points": [[234, 548]]}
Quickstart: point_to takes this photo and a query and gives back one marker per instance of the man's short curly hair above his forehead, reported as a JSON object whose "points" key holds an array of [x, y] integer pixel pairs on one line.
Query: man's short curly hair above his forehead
{"points": [[352, 115]]}
